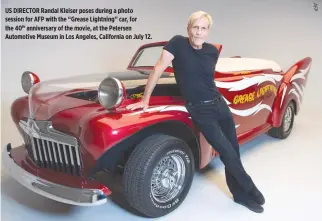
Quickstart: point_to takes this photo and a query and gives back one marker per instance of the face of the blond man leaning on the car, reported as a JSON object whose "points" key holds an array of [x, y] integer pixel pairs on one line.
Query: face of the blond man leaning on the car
{"points": [[198, 32]]}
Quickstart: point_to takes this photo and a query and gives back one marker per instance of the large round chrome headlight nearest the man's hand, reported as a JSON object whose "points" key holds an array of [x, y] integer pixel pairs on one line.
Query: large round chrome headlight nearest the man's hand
{"points": [[110, 93]]}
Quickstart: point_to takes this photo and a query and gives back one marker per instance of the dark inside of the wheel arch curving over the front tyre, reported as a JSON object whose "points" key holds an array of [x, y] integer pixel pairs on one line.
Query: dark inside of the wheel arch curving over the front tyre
{"points": [[119, 153]]}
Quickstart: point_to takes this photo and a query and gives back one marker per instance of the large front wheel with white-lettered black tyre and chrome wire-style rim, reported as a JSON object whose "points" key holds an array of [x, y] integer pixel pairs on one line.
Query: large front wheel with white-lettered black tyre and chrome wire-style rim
{"points": [[158, 175]]}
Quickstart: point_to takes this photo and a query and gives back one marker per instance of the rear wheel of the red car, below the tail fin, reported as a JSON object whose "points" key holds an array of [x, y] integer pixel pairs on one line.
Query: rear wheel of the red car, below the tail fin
{"points": [[286, 127]]}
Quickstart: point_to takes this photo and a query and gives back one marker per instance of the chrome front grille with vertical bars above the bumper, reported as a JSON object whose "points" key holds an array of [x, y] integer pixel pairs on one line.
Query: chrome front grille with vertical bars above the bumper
{"points": [[52, 149]]}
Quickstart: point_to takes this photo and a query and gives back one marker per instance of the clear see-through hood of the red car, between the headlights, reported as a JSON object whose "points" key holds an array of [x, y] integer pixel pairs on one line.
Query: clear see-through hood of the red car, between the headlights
{"points": [[50, 97]]}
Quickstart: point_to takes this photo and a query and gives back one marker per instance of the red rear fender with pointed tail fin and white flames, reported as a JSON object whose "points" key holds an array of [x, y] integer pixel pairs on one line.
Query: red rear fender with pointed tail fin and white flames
{"points": [[291, 89]]}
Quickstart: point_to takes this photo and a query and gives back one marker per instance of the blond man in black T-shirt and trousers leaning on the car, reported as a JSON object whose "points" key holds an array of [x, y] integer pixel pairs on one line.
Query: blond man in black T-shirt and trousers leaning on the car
{"points": [[194, 63]]}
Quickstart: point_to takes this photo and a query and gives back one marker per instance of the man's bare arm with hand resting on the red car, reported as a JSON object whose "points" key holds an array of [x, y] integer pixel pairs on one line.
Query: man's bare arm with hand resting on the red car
{"points": [[163, 62]]}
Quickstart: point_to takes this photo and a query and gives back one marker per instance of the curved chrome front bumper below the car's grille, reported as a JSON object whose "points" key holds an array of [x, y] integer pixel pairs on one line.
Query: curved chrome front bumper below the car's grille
{"points": [[68, 195]]}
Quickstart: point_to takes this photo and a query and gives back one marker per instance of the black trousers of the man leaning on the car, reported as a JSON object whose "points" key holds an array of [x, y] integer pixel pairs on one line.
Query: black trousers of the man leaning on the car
{"points": [[215, 121]]}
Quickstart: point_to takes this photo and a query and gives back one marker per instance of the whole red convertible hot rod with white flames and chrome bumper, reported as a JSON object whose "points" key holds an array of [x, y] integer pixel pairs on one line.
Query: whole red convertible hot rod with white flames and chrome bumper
{"points": [[76, 127]]}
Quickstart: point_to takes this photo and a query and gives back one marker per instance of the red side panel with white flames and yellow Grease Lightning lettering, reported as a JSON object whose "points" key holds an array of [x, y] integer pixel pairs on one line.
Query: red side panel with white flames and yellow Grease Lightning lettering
{"points": [[249, 95]]}
